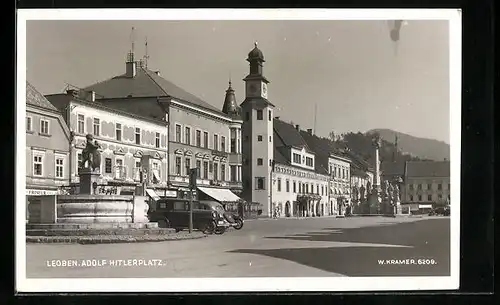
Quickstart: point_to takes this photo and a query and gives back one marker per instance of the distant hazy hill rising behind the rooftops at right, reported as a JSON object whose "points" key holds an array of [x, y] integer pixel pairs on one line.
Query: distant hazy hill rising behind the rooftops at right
{"points": [[422, 148]]}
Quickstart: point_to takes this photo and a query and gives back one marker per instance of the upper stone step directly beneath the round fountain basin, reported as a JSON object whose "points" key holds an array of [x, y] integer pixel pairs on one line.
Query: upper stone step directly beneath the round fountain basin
{"points": [[92, 226]]}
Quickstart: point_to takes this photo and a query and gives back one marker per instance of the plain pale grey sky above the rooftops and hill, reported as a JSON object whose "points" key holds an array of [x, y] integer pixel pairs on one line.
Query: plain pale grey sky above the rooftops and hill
{"points": [[355, 76]]}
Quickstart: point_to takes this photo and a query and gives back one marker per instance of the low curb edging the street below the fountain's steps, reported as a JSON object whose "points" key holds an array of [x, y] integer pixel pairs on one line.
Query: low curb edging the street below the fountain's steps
{"points": [[85, 240]]}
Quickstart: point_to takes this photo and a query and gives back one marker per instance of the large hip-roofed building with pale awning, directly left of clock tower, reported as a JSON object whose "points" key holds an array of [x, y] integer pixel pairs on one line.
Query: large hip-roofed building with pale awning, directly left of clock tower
{"points": [[199, 134]]}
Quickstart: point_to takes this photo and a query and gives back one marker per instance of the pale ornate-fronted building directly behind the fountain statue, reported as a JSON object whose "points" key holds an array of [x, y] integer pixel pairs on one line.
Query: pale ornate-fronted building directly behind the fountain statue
{"points": [[134, 149]]}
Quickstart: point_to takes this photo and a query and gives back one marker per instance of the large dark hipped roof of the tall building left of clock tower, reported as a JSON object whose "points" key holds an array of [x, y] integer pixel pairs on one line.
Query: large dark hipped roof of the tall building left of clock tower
{"points": [[146, 83]]}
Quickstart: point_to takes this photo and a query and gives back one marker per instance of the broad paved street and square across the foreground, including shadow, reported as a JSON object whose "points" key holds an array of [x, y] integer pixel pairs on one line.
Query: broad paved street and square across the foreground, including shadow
{"points": [[315, 247]]}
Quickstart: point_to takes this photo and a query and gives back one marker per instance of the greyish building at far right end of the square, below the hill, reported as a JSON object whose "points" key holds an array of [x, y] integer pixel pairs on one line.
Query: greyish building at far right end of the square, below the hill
{"points": [[427, 183]]}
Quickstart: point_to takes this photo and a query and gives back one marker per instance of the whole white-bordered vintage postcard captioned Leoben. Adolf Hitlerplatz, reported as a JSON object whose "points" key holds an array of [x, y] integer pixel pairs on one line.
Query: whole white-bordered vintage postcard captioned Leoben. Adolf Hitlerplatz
{"points": [[238, 150]]}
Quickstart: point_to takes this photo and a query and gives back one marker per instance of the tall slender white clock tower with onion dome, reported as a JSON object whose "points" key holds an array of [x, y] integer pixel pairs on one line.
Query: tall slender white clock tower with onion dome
{"points": [[257, 131]]}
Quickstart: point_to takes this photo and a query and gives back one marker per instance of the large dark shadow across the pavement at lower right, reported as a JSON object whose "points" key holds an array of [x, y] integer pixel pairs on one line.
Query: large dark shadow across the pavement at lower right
{"points": [[428, 240]]}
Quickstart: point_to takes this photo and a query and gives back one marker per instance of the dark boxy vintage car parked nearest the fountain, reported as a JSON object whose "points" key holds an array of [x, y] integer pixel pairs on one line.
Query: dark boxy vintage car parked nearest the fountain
{"points": [[174, 213]]}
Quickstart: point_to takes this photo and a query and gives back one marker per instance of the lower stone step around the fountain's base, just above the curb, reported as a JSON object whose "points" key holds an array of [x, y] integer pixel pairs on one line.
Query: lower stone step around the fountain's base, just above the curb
{"points": [[99, 232]]}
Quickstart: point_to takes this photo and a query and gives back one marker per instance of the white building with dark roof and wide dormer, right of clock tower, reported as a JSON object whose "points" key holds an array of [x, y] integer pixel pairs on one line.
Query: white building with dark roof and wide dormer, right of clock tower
{"points": [[299, 181]]}
